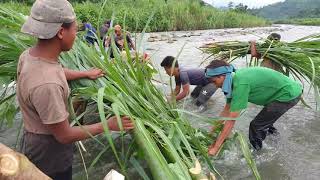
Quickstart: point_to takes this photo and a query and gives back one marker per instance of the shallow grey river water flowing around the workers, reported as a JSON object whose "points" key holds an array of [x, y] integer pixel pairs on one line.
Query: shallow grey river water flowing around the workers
{"points": [[293, 155]]}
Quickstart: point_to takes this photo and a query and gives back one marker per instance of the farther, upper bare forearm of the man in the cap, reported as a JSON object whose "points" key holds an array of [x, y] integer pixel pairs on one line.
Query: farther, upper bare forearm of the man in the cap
{"points": [[90, 74]]}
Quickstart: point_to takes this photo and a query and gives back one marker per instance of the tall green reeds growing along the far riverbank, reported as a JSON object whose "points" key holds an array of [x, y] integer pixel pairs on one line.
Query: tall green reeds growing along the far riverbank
{"points": [[168, 15]]}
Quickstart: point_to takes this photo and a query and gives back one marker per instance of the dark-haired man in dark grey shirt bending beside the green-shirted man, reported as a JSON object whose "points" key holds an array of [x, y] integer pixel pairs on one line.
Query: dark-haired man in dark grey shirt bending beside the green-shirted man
{"points": [[186, 77]]}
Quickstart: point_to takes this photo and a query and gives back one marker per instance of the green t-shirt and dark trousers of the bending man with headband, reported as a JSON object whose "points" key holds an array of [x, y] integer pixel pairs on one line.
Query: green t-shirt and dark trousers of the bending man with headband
{"points": [[266, 87]]}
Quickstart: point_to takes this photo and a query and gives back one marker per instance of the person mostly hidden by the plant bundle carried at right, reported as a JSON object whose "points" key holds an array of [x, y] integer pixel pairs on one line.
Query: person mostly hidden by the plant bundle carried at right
{"points": [[275, 38]]}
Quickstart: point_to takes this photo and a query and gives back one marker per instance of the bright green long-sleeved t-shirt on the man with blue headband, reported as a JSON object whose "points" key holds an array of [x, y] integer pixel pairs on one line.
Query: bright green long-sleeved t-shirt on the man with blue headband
{"points": [[261, 86]]}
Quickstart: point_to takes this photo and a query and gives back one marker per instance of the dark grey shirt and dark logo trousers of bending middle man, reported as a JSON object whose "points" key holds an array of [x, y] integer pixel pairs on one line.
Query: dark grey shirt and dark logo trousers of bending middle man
{"points": [[203, 91]]}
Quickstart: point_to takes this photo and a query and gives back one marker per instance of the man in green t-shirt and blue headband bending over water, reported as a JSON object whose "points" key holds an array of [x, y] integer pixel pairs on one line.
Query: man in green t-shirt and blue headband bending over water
{"points": [[258, 85]]}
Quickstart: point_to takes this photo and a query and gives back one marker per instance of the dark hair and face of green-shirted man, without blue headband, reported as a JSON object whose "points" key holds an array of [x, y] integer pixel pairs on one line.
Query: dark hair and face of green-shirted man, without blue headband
{"points": [[218, 79]]}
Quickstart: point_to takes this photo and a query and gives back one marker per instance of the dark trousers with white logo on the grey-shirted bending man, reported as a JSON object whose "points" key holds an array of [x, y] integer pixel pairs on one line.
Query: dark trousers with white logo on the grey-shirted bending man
{"points": [[202, 93]]}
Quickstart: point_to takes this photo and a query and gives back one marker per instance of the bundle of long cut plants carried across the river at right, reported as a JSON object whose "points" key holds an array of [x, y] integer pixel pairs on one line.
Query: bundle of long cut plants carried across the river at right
{"points": [[300, 59]]}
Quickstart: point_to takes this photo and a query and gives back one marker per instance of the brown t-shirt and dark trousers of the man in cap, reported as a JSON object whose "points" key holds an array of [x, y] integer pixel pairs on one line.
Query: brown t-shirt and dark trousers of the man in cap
{"points": [[42, 93]]}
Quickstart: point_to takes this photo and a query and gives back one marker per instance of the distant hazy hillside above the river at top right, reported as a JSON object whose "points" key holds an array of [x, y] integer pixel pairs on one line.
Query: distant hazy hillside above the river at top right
{"points": [[304, 12]]}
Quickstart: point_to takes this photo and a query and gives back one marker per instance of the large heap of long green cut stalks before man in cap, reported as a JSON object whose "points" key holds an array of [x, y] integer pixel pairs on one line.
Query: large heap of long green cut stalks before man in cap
{"points": [[162, 138]]}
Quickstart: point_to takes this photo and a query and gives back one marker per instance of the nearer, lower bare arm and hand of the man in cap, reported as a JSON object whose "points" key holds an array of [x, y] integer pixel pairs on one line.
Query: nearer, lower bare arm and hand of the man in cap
{"points": [[65, 134]]}
